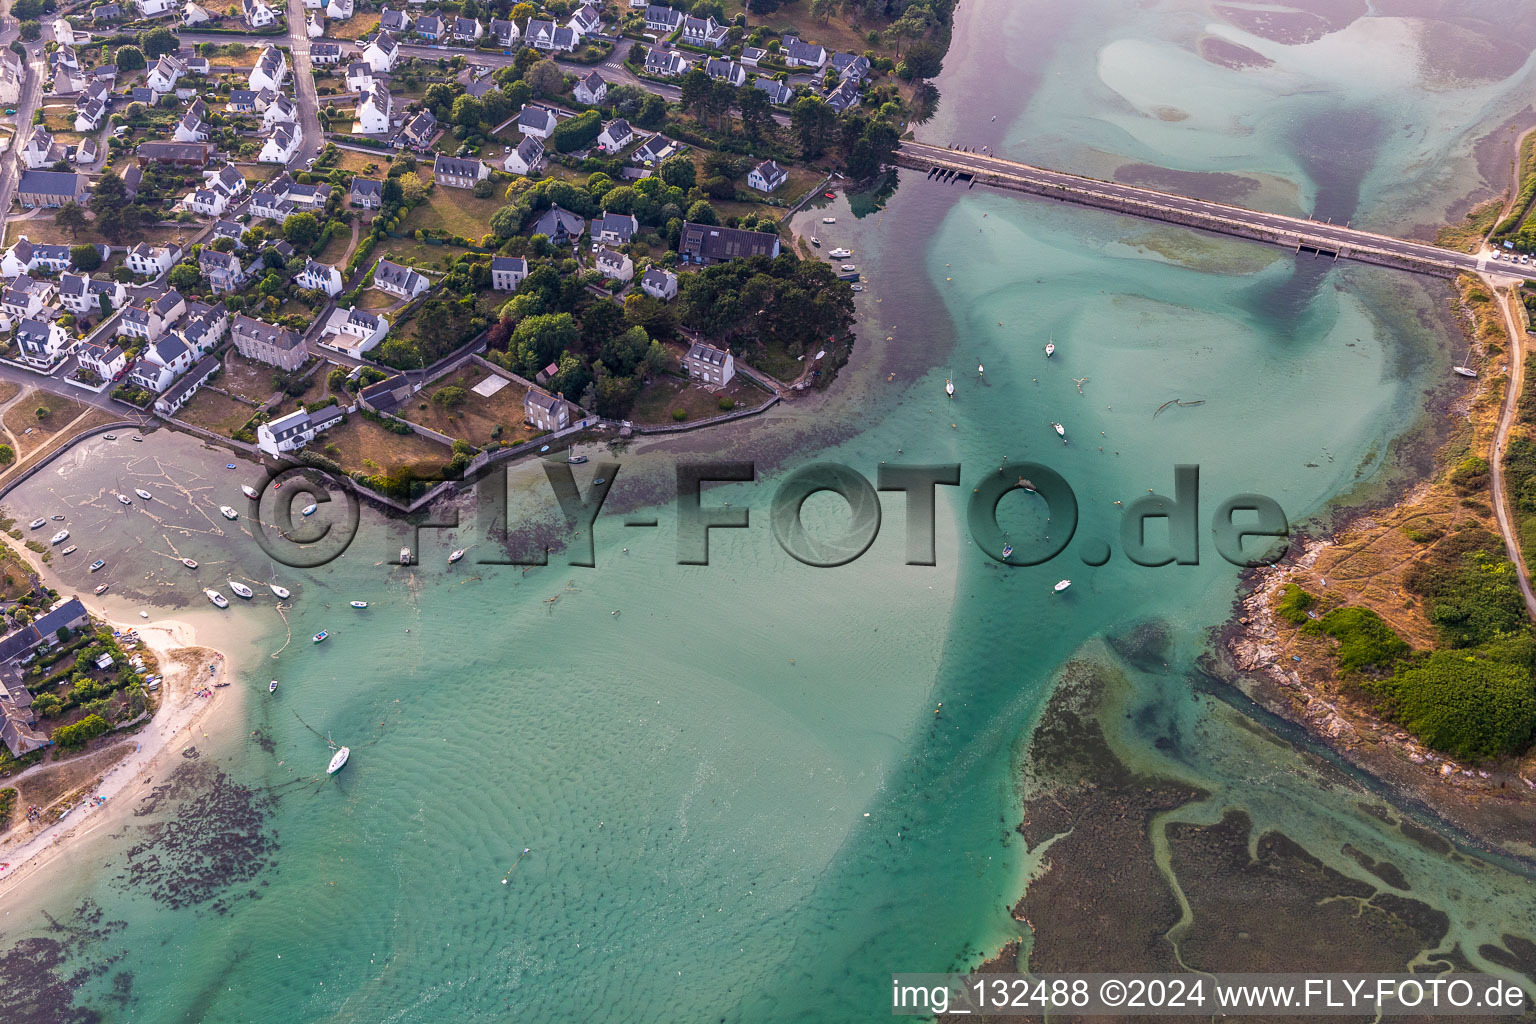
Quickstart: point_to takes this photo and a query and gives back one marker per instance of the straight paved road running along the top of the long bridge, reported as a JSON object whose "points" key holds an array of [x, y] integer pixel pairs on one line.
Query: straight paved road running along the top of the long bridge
{"points": [[1337, 236]]}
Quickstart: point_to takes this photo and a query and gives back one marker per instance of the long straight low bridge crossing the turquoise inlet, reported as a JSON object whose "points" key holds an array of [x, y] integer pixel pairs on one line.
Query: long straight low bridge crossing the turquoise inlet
{"points": [[1302, 236]]}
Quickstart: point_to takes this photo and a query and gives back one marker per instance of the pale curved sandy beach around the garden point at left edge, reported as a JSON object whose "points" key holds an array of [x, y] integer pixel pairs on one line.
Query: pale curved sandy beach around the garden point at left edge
{"points": [[184, 719]]}
